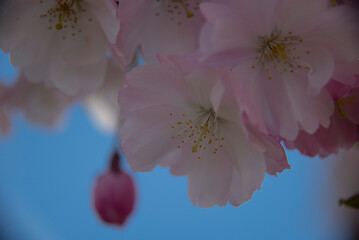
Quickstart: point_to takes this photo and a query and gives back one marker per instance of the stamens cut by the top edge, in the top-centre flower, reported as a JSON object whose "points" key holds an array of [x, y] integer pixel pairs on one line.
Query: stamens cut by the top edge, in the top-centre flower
{"points": [[177, 9]]}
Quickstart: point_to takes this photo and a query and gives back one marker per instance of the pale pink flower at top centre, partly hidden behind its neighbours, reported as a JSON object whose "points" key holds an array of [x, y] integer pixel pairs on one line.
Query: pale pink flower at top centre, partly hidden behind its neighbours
{"points": [[166, 26]]}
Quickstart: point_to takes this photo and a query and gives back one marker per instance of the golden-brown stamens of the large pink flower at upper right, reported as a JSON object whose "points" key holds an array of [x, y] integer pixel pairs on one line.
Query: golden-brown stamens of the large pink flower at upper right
{"points": [[279, 51]]}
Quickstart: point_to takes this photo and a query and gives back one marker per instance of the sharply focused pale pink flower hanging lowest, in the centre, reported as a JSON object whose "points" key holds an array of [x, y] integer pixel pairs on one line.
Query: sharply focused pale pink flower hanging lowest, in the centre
{"points": [[178, 114]]}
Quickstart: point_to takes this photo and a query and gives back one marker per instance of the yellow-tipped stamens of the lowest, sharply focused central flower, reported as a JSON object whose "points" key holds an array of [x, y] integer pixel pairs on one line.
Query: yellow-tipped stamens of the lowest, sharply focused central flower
{"points": [[202, 129]]}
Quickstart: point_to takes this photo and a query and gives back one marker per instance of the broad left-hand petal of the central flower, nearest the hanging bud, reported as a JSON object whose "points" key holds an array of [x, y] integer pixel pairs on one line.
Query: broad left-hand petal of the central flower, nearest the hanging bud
{"points": [[146, 137]]}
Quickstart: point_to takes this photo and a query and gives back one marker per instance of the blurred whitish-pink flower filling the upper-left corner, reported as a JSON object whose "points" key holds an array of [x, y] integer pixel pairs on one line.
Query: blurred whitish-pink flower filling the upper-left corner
{"points": [[61, 42]]}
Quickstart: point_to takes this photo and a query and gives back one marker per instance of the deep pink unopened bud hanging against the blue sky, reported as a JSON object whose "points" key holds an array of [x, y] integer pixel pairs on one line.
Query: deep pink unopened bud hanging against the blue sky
{"points": [[114, 194]]}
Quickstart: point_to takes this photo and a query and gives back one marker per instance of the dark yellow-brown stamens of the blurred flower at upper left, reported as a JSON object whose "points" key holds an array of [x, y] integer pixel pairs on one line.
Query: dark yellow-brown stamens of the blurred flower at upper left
{"points": [[64, 16]]}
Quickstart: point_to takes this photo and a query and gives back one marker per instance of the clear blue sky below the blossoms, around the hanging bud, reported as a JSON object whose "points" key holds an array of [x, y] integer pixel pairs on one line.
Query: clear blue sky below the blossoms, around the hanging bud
{"points": [[47, 175]]}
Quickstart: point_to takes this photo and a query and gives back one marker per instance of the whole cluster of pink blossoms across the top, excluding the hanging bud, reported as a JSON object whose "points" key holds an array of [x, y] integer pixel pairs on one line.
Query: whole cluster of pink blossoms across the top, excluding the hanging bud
{"points": [[227, 82]]}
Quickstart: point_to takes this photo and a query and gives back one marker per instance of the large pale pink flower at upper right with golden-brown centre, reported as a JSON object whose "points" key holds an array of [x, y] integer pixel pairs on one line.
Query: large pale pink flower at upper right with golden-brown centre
{"points": [[283, 52]]}
